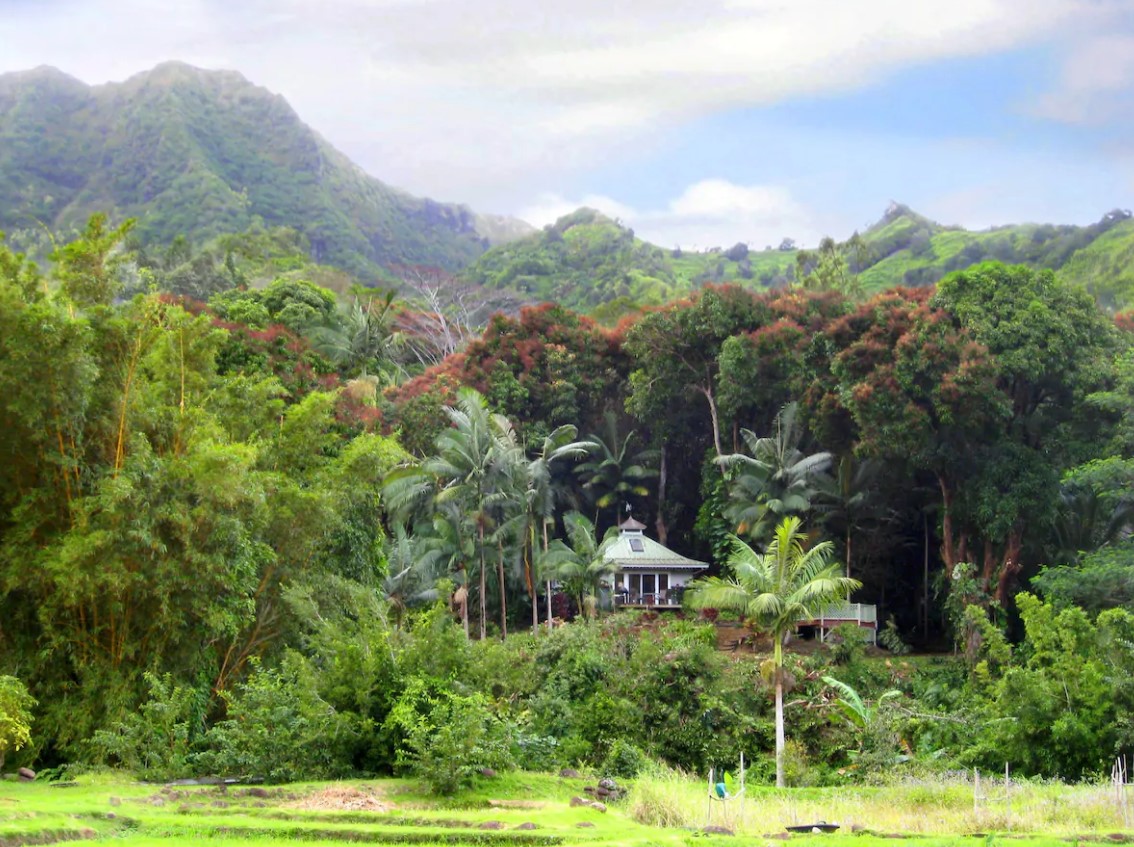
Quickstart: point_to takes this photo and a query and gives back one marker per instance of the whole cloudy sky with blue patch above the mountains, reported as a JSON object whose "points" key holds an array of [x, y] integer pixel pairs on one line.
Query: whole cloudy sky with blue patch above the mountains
{"points": [[698, 123]]}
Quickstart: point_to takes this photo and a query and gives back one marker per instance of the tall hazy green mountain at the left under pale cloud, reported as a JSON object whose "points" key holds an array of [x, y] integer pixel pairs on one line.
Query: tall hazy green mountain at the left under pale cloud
{"points": [[200, 154]]}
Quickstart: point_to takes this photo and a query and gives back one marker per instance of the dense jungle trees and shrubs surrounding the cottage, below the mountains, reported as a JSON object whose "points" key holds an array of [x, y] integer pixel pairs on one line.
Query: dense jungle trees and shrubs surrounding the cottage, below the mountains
{"points": [[273, 532]]}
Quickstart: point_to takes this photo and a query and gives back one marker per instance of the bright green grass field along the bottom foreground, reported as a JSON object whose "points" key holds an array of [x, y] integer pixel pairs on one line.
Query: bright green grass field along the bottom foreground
{"points": [[536, 811]]}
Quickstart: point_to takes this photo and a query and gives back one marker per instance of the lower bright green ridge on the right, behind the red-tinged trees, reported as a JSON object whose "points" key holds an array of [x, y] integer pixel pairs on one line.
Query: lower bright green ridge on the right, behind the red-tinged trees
{"points": [[587, 259]]}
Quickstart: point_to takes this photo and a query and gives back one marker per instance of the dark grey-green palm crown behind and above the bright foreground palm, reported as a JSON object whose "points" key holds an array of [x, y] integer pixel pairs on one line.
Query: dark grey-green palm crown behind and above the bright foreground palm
{"points": [[776, 480]]}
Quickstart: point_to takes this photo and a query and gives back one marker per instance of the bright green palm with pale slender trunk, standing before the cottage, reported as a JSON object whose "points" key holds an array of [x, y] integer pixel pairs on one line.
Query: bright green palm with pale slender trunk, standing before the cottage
{"points": [[777, 589]]}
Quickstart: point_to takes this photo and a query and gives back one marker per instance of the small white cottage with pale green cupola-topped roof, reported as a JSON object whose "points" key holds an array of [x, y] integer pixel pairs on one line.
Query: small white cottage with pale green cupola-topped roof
{"points": [[649, 575]]}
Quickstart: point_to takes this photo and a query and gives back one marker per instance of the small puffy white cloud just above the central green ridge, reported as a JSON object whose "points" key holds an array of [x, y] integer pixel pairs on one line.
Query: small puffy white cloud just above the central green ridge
{"points": [[709, 214]]}
